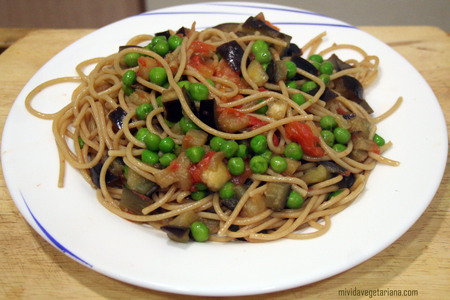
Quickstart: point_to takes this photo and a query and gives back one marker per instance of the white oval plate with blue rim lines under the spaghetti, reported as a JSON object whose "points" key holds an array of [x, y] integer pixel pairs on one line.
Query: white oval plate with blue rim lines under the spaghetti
{"points": [[73, 221]]}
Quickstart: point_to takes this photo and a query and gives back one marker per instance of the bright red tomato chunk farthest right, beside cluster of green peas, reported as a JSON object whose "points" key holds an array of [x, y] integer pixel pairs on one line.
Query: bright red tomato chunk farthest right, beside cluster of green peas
{"points": [[303, 135]]}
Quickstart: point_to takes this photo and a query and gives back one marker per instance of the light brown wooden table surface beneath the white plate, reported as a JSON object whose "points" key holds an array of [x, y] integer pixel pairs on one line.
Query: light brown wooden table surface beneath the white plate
{"points": [[419, 260]]}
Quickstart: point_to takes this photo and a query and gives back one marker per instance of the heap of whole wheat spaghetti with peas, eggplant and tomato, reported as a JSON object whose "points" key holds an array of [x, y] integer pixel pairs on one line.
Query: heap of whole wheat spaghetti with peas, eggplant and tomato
{"points": [[223, 134]]}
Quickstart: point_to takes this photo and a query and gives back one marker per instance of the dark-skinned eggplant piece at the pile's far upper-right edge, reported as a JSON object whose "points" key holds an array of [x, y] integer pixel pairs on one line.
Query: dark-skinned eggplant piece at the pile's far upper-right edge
{"points": [[350, 88]]}
